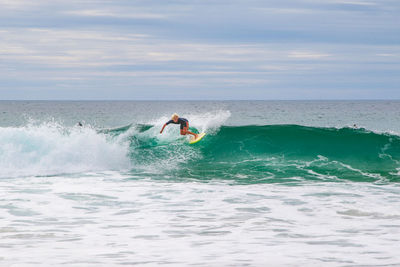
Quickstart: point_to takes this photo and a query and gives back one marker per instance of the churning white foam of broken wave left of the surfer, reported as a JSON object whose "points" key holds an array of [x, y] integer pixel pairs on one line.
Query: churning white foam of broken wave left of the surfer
{"points": [[50, 148]]}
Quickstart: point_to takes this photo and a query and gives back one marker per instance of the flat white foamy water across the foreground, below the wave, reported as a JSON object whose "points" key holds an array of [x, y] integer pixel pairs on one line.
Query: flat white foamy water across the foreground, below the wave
{"points": [[110, 221]]}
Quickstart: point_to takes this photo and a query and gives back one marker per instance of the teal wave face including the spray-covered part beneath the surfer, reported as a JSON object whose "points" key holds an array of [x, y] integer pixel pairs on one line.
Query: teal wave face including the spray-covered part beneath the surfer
{"points": [[272, 153]]}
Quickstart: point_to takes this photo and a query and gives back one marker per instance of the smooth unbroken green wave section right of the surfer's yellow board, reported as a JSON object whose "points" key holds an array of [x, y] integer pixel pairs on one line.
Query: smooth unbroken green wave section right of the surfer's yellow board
{"points": [[299, 152]]}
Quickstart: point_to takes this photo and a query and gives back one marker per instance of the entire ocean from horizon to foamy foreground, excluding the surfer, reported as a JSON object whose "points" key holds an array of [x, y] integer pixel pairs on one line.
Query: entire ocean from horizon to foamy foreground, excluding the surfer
{"points": [[273, 183]]}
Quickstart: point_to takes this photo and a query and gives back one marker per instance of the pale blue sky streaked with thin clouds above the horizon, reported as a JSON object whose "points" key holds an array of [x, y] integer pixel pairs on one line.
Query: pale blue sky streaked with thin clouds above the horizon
{"points": [[199, 49]]}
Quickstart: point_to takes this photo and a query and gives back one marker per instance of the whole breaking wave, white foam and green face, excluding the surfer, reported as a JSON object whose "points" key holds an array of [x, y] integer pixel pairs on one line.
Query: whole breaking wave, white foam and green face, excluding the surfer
{"points": [[245, 154]]}
